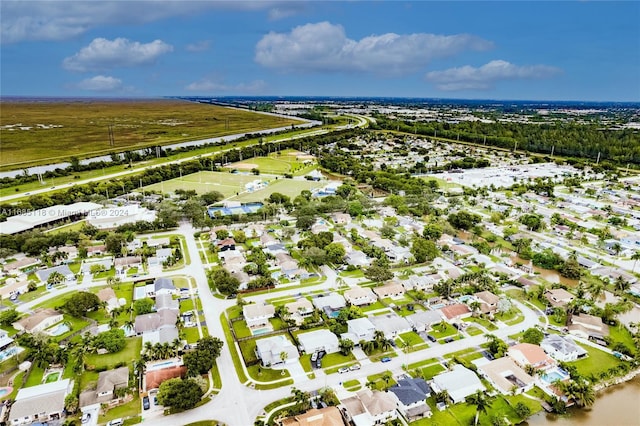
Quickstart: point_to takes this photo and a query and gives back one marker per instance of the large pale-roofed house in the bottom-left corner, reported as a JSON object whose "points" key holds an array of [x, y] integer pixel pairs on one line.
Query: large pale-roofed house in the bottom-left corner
{"points": [[41, 403]]}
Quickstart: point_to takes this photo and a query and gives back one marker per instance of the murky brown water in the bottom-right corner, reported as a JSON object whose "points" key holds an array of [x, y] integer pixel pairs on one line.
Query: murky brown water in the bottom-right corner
{"points": [[617, 405]]}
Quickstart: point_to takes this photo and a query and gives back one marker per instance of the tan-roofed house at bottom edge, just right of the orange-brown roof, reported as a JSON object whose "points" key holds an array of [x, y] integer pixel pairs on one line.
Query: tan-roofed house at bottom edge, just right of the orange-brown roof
{"points": [[369, 408]]}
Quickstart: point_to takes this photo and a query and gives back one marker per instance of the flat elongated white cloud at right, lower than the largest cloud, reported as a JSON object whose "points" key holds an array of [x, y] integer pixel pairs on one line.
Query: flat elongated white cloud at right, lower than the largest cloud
{"points": [[484, 77]]}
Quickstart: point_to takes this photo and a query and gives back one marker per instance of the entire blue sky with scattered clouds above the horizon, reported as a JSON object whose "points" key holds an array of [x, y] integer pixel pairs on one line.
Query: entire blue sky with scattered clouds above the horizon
{"points": [[578, 50]]}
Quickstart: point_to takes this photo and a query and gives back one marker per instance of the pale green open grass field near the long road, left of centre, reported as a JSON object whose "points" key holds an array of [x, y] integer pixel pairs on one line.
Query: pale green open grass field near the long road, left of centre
{"points": [[201, 182]]}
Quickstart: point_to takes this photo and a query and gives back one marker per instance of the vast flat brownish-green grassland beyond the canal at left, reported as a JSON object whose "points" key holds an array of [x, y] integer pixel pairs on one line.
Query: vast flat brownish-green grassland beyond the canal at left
{"points": [[35, 132]]}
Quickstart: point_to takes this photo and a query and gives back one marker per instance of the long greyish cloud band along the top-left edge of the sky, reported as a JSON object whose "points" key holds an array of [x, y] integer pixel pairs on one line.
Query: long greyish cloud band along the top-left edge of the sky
{"points": [[55, 20]]}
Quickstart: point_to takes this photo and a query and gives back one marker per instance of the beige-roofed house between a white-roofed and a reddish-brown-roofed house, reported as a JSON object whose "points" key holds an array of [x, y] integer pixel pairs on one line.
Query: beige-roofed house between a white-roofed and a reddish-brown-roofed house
{"points": [[506, 376]]}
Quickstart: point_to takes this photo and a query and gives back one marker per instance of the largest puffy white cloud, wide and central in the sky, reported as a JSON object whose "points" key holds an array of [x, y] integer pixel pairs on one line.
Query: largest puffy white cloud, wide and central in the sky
{"points": [[324, 47]]}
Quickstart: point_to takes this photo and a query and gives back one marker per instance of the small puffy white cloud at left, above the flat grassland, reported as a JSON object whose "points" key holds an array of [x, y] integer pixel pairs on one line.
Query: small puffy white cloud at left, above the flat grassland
{"points": [[103, 54]]}
